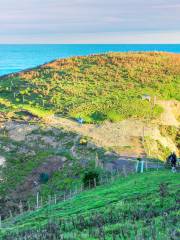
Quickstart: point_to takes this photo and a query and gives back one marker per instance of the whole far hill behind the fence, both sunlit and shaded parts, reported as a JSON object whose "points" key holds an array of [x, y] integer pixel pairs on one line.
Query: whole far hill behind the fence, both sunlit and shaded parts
{"points": [[39, 132]]}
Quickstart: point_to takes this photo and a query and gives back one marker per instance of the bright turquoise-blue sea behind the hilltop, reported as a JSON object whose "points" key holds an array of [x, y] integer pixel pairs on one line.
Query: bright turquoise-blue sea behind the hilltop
{"points": [[15, 58]]}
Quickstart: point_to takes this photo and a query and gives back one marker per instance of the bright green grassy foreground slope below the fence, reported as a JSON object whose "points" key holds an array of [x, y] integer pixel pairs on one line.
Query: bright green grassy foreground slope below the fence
{"points": [[144, 206]]}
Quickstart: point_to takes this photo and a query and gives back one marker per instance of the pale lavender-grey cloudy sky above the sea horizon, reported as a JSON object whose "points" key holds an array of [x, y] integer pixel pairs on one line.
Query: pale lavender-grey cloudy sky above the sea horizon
{"points": [[90, 21]]}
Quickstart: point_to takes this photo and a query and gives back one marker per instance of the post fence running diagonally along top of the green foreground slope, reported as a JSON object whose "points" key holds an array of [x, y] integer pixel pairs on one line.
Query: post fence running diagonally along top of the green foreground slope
{"points": [[67, 195]]}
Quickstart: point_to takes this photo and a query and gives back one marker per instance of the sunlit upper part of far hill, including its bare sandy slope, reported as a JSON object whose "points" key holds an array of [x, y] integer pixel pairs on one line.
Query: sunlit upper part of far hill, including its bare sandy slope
{"points": [[104, 87]]}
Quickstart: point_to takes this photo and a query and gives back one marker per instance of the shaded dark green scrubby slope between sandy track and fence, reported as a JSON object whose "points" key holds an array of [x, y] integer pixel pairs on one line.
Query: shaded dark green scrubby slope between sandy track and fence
{"points": [[32, 149]]}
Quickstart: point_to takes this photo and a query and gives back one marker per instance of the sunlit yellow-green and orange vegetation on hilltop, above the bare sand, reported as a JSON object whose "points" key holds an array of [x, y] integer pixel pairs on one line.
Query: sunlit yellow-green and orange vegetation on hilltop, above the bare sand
{"points": [[96, 87]]}
